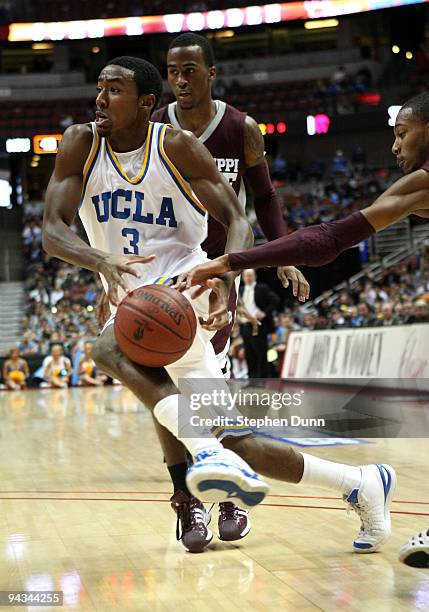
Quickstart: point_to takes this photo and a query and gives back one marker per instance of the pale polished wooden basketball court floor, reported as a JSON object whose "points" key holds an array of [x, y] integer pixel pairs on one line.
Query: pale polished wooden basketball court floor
{"points": [[84, 508]]}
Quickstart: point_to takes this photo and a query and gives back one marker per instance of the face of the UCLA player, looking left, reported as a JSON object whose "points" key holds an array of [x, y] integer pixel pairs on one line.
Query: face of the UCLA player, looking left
{"points": [[117, 100]]}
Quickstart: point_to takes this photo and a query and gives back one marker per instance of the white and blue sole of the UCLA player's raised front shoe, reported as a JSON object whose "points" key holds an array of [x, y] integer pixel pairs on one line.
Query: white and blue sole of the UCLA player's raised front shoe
{"points": [[219, 482]]}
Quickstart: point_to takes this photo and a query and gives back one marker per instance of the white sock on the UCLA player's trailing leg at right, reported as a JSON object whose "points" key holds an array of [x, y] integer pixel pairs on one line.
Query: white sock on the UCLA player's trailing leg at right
{"points": [[329, 475]]}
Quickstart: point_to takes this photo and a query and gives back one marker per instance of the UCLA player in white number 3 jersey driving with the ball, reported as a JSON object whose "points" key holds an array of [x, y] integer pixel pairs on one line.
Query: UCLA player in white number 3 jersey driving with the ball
{"points": [[128, 220]]}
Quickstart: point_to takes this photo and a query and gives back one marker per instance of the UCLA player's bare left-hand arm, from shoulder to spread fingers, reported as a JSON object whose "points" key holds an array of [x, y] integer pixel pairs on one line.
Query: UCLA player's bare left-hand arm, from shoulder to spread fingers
{"points": [[62, 202]]}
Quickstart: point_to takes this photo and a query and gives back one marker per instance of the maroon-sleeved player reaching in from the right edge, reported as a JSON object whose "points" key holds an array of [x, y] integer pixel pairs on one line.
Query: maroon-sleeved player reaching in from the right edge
{"points": [[409, 195]]}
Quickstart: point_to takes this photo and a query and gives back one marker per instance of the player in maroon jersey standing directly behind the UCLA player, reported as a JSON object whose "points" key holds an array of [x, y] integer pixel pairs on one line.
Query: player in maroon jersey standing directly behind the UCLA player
{"points": [[237, 146]]}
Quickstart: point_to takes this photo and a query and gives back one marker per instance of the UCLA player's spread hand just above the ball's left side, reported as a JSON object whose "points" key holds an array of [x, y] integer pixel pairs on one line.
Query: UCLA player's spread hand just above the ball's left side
{"points": [[113, 267]]}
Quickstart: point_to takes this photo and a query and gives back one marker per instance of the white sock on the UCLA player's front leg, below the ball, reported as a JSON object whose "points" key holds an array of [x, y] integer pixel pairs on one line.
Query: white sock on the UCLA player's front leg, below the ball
{"points": [[195, 439]]}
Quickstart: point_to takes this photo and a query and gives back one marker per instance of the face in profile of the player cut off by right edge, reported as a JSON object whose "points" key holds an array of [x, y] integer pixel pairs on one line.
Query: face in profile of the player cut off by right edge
{"points": [[411, 145]]}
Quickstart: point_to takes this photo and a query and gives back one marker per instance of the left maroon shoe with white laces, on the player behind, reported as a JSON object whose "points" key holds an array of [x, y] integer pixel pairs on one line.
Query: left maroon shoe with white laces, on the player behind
{"points": [[192, 522]]}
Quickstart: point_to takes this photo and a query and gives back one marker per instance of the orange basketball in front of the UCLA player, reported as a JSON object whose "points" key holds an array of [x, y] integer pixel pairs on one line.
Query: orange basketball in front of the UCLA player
{"points": [[155, 325]]}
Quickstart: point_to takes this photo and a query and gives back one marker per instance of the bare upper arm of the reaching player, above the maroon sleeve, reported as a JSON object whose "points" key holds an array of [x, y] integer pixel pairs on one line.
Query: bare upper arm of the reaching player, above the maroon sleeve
{"points": [[406, 196]]}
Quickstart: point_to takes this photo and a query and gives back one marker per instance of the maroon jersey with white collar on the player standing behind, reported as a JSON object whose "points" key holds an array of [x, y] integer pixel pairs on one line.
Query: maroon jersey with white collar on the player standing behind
{"points": [[224, 138]]}
